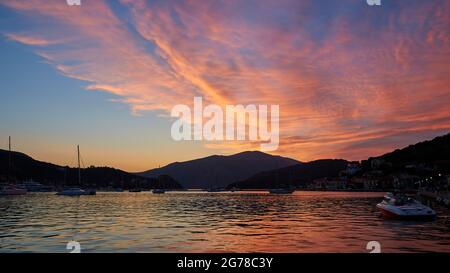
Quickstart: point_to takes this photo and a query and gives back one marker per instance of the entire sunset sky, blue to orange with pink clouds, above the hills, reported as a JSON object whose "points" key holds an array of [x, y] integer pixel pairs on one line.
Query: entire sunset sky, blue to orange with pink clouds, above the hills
{"points": [[351, 80]]}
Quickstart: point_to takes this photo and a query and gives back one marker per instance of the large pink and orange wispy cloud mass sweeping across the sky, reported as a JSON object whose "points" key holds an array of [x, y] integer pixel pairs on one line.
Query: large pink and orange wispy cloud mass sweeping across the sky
{"points": [[351, 80]]}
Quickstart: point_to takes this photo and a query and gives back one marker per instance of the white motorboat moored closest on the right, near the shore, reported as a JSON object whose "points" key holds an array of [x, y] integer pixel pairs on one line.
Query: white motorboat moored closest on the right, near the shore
{"points": [[399, 206]]}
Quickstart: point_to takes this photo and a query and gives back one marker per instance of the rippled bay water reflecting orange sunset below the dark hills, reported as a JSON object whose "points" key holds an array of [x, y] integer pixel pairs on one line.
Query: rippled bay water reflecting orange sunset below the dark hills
{"points": [[212, 222]]}
